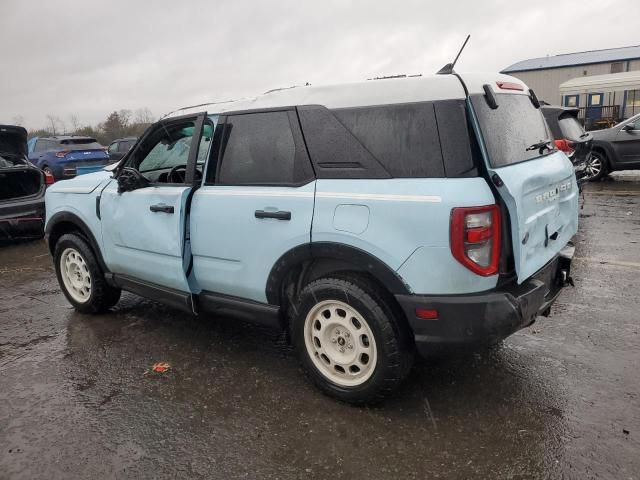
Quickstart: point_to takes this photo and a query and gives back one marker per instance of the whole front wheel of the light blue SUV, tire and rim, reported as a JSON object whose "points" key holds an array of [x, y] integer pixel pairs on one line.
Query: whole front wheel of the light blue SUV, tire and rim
{"points": [[80, 276]]}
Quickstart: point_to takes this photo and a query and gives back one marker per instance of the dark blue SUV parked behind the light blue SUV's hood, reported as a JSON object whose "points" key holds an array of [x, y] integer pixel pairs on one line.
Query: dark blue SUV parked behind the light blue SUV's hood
{"points": [[66, 156]]}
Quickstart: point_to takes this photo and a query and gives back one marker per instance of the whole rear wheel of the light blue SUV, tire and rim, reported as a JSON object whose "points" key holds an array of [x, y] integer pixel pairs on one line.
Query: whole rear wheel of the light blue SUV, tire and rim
{"points": [[351, 343]]}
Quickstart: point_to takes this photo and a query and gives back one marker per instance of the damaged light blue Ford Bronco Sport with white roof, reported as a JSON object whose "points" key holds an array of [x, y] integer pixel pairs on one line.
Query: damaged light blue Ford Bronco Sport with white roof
{"points": [[369, 220]]}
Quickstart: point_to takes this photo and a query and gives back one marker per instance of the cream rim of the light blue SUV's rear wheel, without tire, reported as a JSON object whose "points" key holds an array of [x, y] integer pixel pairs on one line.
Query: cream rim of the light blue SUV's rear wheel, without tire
{"points": [[340, 343]]}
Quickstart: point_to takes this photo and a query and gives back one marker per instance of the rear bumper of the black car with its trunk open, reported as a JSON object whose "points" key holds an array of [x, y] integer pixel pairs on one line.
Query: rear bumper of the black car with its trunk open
{"points": [[22, 219]]}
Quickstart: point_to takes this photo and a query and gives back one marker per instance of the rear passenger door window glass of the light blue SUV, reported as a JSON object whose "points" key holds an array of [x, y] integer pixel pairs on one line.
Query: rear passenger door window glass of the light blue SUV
{"points": [[260, 149]]}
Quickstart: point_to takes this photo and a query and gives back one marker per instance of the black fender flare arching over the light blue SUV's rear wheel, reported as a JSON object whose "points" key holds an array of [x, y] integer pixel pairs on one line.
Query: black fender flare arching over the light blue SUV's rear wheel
{"points": [[357, 258]]}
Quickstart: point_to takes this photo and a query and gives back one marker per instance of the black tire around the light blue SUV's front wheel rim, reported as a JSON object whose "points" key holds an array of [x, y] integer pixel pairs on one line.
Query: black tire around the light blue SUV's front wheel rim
{"points": [[102, 296]]}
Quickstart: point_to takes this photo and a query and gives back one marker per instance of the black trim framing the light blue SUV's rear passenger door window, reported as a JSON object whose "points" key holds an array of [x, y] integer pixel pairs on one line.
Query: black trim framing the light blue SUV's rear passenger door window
{"points": [[298, 140]]}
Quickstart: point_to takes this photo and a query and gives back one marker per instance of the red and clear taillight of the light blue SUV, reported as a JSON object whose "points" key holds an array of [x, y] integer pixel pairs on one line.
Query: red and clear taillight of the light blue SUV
{"points": [[475, 238]]}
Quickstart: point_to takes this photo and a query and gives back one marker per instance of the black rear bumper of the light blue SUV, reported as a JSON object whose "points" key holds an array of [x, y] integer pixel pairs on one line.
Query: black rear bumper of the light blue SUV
{"points": [[487, 317]]}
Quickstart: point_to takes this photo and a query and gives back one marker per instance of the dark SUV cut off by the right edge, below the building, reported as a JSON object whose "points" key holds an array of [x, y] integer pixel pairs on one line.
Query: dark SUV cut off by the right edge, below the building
{"points": [[616, 148]]}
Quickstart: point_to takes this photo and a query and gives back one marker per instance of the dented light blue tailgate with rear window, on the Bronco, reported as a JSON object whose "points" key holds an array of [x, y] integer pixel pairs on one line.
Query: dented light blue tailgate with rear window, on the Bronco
{"points": [[537, 185]]}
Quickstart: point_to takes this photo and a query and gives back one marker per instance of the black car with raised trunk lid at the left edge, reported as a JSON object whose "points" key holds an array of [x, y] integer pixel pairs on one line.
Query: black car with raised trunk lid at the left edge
{"points": [[22, 187]]}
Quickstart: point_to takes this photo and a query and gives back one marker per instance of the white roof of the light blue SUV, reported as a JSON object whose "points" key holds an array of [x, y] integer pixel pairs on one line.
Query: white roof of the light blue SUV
{"points": [[360, 94]]}
